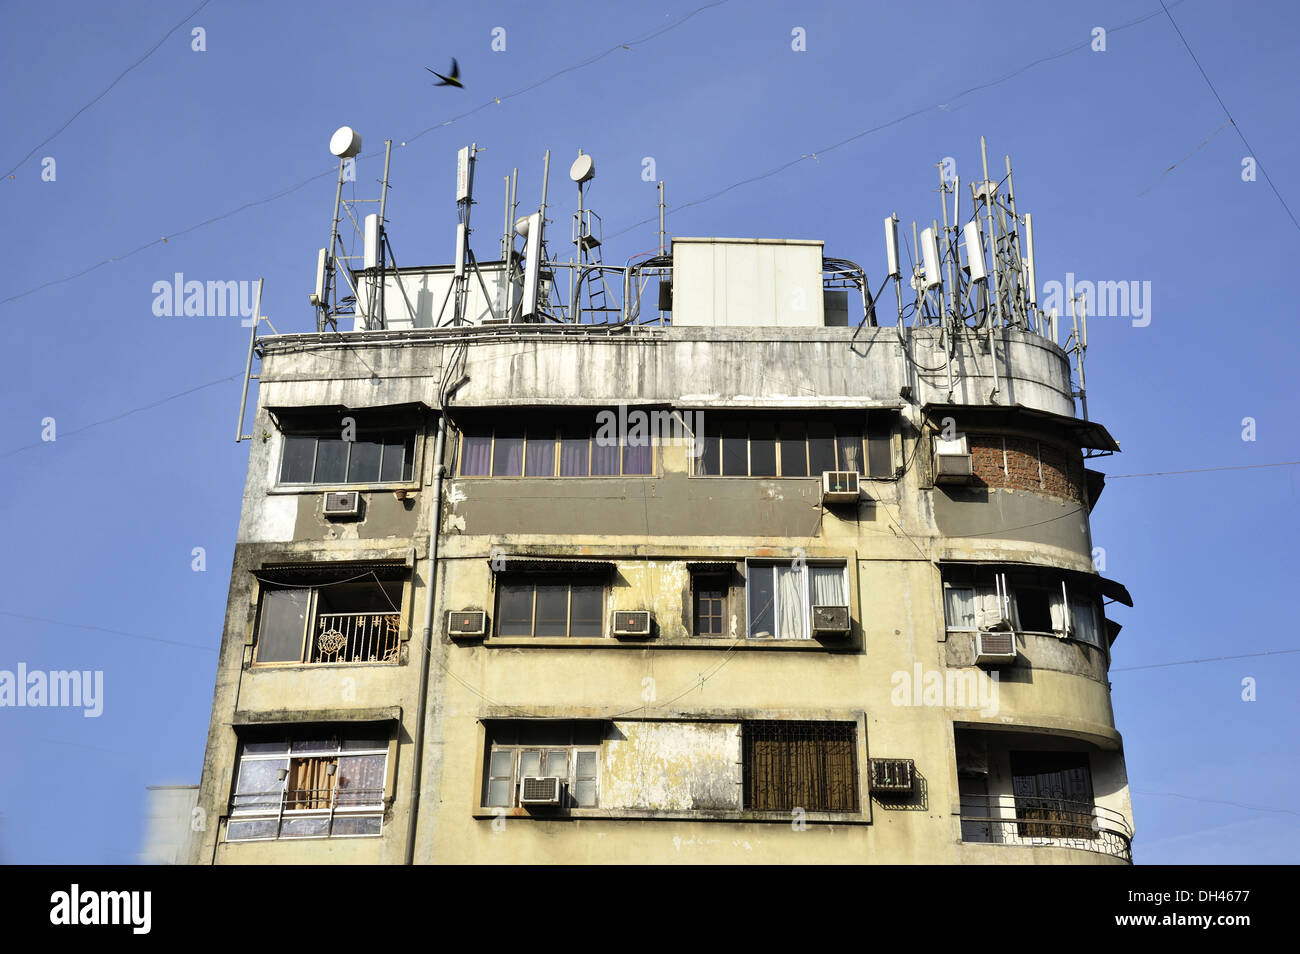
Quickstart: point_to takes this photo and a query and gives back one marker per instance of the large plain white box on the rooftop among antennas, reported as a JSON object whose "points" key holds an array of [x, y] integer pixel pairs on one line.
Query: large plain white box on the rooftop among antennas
{"points": [[729, 283]]}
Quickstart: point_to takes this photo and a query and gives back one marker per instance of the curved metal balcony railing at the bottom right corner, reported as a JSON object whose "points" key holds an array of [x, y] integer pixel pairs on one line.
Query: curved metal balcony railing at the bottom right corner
{"points": [[1046, 823]]}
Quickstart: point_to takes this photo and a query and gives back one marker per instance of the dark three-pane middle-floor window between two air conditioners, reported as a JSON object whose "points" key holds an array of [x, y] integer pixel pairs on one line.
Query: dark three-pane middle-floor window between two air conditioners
{"points": [[549, 606]]}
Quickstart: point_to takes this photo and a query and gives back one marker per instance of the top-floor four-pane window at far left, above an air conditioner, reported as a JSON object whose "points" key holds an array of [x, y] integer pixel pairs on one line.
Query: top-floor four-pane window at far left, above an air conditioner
{"points": [[323, 457]]}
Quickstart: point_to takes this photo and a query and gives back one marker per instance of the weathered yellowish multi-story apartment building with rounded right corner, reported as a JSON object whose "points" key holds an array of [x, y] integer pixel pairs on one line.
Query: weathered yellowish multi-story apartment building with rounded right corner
{"points": [[769, 579]]}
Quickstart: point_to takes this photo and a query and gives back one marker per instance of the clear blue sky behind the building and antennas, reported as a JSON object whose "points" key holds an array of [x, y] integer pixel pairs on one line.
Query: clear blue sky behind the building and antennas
{"points": [[103, 522]]}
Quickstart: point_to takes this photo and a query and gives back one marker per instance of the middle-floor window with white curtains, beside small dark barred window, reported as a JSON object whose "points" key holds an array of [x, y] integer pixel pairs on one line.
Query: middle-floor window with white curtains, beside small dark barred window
{"points": [[779, 597]]}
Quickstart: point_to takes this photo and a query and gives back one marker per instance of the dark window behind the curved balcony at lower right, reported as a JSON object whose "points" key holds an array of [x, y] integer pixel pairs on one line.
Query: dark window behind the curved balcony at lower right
{"points": [[1054, 795]]}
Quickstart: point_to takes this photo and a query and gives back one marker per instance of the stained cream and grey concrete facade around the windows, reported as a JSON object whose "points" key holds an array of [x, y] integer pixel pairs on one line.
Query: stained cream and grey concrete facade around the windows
{"points": [[666, 717]]}
